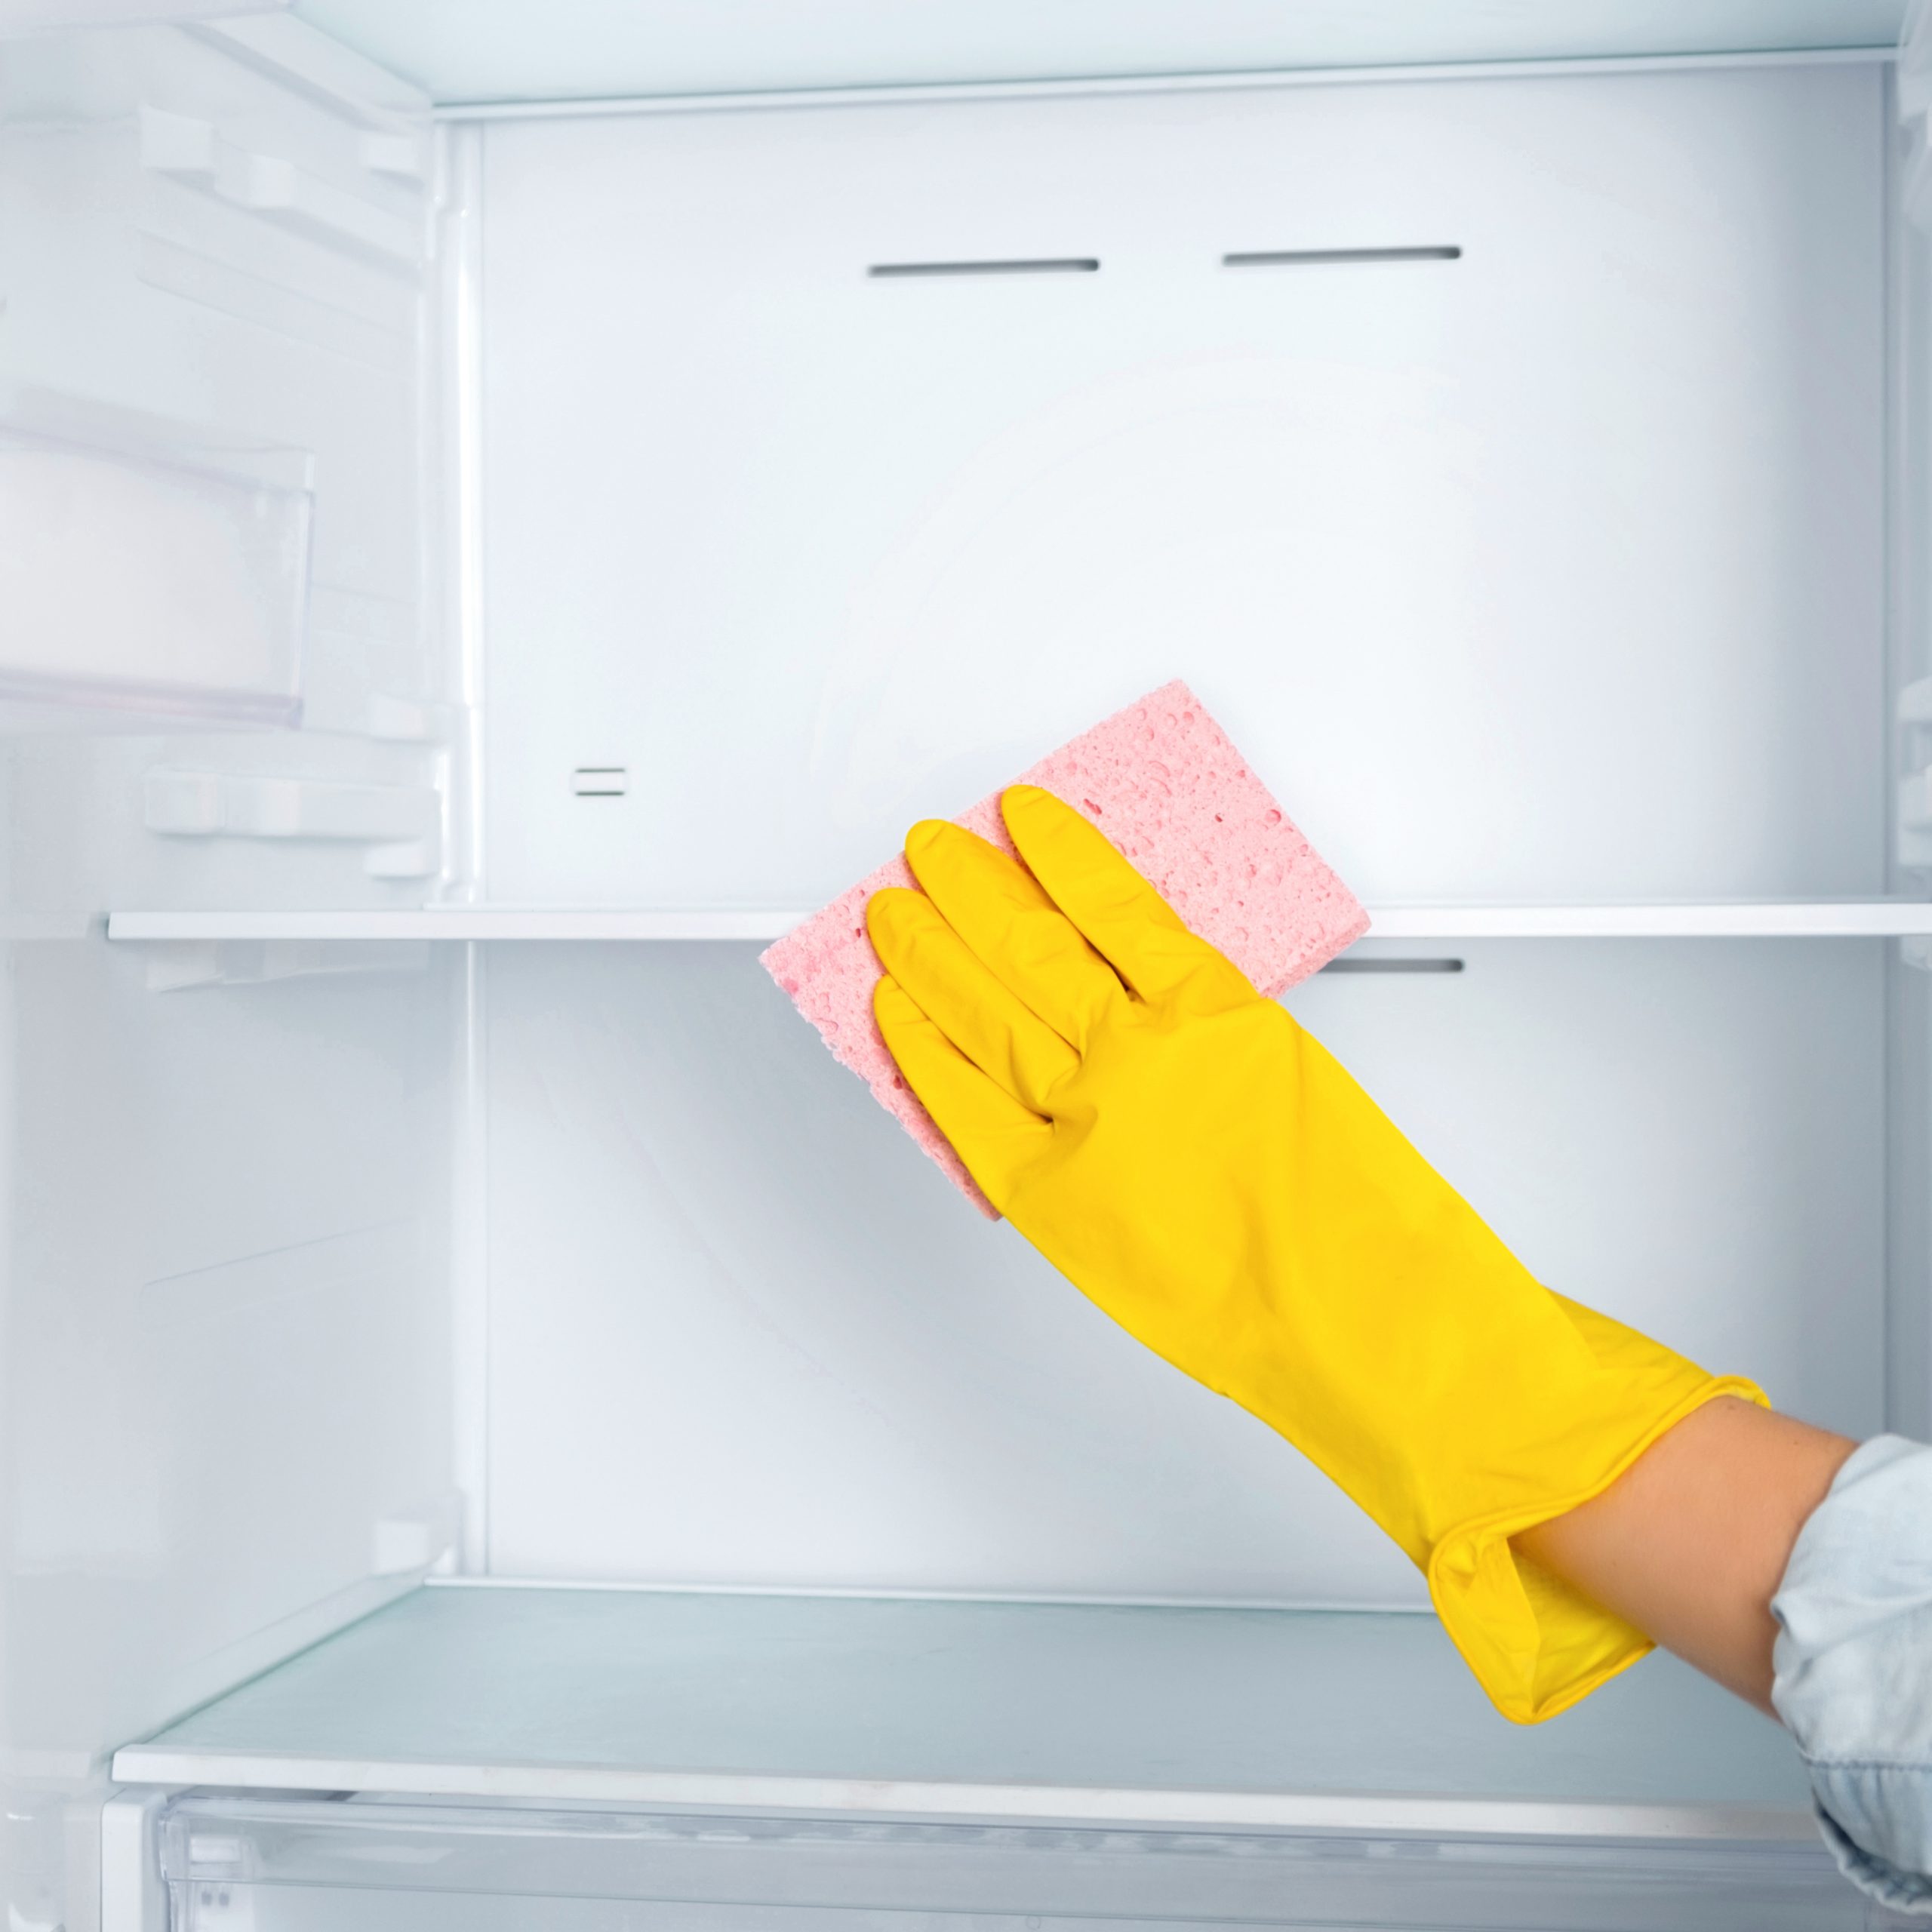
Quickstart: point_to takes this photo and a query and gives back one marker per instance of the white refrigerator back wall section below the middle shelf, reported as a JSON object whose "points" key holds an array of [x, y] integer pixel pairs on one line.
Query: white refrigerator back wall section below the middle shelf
{"points": [[745, 1332]]}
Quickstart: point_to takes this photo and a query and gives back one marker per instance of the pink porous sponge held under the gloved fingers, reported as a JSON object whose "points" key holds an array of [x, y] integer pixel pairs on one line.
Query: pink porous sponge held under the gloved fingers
{"points": [[1162, 781]]}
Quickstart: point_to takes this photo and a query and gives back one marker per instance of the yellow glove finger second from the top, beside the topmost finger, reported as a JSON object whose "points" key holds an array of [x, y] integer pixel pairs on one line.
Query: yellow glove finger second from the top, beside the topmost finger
{"points": [[1015, 930]]}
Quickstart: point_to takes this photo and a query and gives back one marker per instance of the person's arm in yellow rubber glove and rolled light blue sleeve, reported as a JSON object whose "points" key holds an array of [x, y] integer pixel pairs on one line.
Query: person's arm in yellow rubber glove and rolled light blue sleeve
{"points": [[1572, 1489]]}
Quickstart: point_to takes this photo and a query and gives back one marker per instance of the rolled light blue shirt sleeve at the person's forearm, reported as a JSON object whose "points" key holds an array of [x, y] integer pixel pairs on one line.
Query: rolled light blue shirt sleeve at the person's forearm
{"points": [[1856, 1668]]}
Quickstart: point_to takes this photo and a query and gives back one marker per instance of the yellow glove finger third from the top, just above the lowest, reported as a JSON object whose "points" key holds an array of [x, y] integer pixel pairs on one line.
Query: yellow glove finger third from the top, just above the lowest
{"points": [[948, 982]]}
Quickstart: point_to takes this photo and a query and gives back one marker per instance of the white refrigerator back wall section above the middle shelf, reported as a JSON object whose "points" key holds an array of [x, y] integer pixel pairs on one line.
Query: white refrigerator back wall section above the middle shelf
{"points": [[1548, 569]]}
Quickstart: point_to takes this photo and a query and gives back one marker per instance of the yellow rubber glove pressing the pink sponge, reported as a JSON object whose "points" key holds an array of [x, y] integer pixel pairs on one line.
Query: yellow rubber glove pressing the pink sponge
{"points": [[1201, 1168]]}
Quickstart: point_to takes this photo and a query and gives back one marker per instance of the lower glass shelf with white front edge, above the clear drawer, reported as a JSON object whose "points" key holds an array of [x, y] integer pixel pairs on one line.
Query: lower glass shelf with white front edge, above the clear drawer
{"points": [[953, 1707]]}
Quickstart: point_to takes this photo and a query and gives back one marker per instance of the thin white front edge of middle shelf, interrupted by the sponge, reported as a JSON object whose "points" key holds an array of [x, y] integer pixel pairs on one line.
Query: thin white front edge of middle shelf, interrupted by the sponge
{"points": [[1829, 919]]}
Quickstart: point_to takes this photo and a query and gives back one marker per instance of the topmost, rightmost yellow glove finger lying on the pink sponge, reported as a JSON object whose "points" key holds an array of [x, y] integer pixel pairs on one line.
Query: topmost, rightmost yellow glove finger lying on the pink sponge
{"points": [[1127, 923]]}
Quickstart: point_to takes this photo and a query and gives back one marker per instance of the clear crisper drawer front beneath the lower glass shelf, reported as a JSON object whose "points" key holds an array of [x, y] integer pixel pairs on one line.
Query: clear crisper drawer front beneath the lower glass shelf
{"points": [[314, 1863]]}
